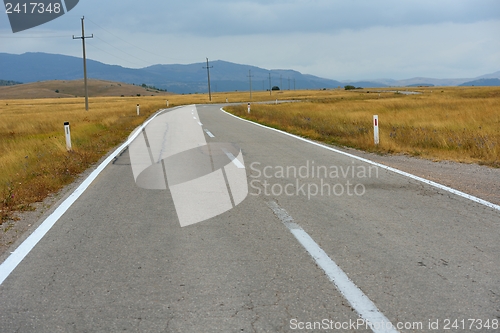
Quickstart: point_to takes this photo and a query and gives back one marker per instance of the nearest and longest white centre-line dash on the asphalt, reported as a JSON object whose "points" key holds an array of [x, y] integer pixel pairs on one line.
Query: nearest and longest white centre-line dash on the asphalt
{"points": [[358, 300]]}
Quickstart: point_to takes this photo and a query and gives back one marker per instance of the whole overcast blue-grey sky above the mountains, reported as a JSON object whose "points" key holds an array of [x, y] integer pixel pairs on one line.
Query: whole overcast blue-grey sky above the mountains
{"points": [[342, 40]]}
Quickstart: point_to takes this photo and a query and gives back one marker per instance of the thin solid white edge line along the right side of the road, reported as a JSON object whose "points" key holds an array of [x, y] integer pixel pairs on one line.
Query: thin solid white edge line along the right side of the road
{"points": [[409, 175]]}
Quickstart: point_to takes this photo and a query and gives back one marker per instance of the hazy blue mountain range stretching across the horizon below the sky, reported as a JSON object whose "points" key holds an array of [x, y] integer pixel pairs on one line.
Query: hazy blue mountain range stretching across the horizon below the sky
{"points": [[192, 78]]}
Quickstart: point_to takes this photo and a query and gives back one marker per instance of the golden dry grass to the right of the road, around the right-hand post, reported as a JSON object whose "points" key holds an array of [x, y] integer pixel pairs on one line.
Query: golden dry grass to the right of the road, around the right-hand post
{"points": [[459, 124]]}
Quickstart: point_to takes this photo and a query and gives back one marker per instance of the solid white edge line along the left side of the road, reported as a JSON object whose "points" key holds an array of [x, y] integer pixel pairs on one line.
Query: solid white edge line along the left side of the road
{"points": [[29, 243]]}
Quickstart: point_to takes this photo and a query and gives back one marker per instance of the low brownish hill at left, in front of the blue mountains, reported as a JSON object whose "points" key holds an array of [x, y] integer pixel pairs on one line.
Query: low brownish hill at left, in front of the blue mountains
{"points": [[75, 88]]}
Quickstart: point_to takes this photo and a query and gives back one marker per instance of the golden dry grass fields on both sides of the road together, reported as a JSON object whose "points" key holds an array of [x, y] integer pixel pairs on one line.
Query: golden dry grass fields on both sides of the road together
{"points": [[460, 124]]}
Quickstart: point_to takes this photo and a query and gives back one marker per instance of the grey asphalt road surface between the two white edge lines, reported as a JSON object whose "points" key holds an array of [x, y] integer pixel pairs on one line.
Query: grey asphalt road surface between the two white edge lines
{"points": [[119, 260]]}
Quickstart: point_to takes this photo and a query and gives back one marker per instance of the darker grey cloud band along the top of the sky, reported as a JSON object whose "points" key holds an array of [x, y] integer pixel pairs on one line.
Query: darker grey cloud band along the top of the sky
{"points": [[220, 18]]}
